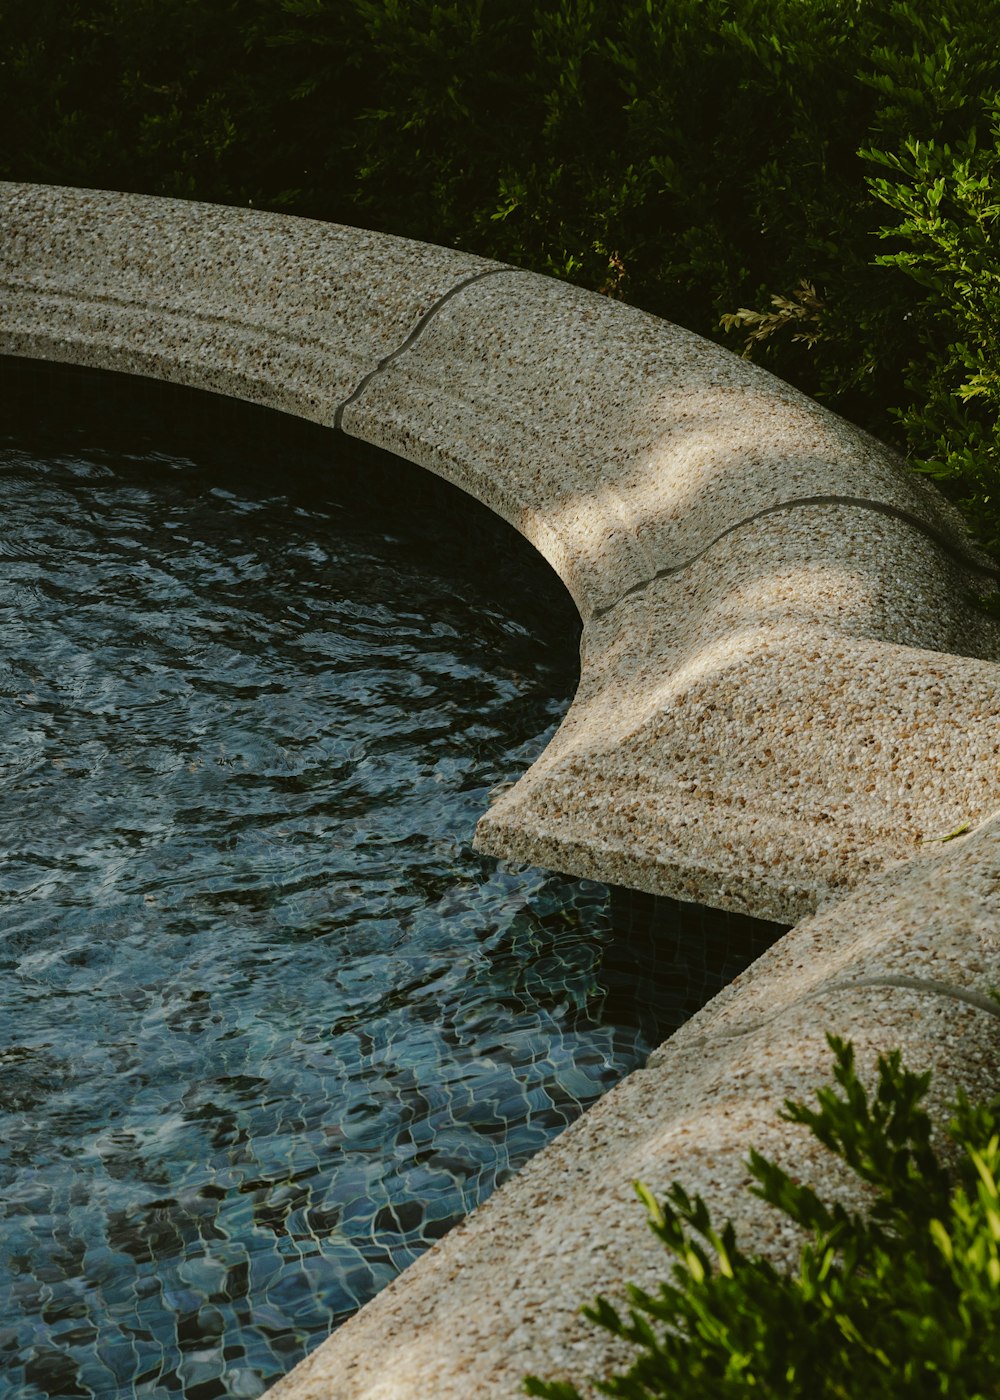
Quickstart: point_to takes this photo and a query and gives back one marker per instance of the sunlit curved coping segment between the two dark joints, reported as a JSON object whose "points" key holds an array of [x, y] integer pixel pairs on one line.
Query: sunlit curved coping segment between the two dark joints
{"points": [[585, 412]]}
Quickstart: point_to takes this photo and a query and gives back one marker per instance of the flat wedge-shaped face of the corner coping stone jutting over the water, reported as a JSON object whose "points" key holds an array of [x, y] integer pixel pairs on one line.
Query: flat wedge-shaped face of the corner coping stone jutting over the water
{"points": [[702, 793]]}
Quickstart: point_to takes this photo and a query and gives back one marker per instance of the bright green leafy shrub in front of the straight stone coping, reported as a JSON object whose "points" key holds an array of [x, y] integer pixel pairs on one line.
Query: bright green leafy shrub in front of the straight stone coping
{"points": [[901, 1301]]}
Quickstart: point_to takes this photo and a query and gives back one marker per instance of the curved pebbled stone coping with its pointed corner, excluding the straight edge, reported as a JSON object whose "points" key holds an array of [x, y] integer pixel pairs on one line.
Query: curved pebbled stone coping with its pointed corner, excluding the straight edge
{"points": [[784, 684]]}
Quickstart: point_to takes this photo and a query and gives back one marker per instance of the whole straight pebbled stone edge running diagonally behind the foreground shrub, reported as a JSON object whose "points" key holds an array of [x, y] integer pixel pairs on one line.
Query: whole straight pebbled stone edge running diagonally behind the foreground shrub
{"points": [[907, 961]]}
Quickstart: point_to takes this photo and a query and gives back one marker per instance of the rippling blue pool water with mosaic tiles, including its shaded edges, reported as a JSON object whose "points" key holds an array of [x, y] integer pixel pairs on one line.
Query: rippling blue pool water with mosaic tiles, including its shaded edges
{"points": [[268, 1025]]}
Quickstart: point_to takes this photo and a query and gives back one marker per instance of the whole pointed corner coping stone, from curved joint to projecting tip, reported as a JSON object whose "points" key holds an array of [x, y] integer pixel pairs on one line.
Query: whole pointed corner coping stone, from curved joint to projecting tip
{"points": [[788, 726]]}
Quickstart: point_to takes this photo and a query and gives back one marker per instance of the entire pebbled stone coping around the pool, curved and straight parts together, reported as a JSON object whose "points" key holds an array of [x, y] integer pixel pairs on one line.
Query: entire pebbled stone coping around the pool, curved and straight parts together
{"points": [[788, 699]]}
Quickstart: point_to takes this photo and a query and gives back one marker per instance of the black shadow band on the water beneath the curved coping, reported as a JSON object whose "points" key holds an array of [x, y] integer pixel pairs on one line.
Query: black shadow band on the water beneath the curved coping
{"points": [[257, 449]]}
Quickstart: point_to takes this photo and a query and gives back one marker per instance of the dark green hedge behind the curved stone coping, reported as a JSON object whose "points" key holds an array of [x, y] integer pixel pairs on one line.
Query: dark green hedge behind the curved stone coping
{"points": [[810, 181]]}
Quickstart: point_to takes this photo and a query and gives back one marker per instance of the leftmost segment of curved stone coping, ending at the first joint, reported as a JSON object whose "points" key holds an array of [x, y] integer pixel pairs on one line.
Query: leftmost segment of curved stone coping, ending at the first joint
{"points": [[282, 311]]}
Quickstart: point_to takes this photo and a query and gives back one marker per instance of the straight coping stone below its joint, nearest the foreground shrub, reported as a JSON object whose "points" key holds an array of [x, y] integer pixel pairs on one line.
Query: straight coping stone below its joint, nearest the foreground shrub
{"points": [[501, 1296]]}
